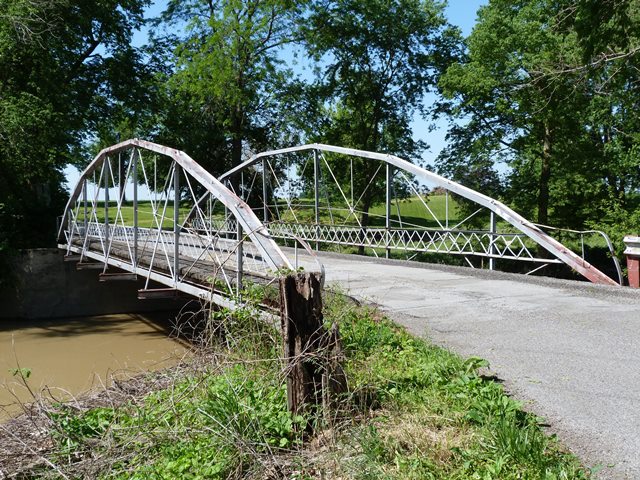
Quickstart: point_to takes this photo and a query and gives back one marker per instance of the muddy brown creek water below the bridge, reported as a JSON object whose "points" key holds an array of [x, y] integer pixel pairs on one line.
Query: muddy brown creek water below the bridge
{"points": [[69, 356]]}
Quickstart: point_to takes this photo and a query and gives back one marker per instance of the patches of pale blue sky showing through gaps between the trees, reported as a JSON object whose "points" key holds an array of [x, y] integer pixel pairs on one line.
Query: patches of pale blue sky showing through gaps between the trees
{"points": [[461, 13]]}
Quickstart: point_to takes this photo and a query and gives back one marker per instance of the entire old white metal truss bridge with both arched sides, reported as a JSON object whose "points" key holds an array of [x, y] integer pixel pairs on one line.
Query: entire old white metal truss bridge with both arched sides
{"points": [[144, 210]]}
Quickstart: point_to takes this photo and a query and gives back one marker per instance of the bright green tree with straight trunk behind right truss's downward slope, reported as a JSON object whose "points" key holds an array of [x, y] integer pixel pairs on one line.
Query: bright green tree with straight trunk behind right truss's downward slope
{"points": [[506, 110]]}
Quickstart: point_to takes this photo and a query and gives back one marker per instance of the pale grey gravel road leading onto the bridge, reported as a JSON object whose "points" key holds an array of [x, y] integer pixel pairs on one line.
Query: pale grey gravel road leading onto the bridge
{"points": [[569, 350]]}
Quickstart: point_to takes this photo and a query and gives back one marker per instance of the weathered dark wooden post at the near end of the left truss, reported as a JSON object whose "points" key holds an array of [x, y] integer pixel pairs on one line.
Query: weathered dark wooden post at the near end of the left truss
{"points": [[309, 349]]}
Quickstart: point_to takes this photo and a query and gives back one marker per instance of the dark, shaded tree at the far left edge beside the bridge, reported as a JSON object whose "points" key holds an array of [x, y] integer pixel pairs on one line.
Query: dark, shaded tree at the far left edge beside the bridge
{"points": [[57, 82]]}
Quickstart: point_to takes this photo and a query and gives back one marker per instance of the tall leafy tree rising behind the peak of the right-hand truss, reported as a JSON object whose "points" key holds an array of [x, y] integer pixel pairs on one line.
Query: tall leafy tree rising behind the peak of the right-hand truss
{"points": [[376, 60]]}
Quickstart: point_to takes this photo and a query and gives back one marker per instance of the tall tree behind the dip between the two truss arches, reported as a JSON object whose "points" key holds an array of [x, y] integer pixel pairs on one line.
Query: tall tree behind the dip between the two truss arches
{"points": [[226, 80]]}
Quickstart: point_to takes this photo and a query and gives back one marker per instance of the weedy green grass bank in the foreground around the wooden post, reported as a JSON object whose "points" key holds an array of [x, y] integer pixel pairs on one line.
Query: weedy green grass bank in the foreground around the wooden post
{"points": [[412, 411]]}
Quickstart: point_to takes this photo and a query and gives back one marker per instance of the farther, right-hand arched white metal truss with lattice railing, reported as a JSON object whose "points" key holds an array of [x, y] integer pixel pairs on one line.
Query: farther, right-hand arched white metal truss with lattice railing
{"points": [[345, 198]]}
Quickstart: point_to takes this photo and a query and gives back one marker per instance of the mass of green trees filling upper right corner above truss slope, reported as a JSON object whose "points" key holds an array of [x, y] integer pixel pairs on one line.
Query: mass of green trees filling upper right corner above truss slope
{"points": [[537, 91]]}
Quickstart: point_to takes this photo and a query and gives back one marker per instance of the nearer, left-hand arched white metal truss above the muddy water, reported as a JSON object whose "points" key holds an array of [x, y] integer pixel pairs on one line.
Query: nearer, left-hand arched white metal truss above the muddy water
{"points": [[134, 207]]}
